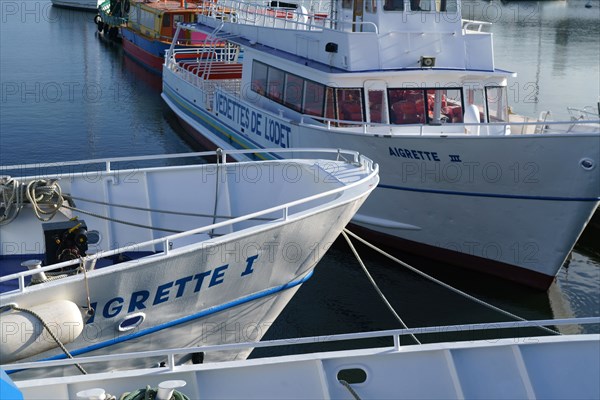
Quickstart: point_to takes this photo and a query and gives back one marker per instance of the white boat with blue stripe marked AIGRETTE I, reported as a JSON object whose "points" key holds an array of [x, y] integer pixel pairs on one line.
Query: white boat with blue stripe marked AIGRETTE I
{"points": [[124, 255]]}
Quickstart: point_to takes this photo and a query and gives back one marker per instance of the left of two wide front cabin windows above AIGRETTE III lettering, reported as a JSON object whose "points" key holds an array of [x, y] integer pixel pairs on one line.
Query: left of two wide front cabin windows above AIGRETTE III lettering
{"points": [[407, 106]]}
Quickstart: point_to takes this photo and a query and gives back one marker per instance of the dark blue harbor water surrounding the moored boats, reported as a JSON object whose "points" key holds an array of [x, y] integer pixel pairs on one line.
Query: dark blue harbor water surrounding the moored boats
{"points": [[66, 95]]}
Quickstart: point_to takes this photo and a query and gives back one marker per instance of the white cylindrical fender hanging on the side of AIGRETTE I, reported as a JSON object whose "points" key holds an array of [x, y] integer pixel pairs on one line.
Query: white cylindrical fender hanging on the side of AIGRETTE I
{"points": [[23, 335]]}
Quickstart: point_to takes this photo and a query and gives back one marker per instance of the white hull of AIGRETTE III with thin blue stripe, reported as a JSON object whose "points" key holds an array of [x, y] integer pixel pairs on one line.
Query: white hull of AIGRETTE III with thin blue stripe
{"points": [[512, 206]]}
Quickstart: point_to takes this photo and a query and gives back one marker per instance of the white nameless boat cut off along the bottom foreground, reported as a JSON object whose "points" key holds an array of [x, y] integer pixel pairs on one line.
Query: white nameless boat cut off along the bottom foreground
{"points": [[530, 367]]}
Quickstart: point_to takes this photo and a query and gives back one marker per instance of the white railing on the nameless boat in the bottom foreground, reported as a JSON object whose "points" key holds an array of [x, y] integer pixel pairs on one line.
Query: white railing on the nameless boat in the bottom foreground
{"points": [[394, 334]]}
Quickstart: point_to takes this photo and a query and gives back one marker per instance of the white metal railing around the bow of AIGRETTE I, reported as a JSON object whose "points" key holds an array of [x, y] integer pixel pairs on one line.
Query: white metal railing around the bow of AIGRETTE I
{"points": [[358, 159]]}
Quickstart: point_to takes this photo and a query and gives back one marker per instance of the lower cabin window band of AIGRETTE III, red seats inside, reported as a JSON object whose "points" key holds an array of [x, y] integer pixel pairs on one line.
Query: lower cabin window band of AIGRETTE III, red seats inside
{"points": [[387, 98]]}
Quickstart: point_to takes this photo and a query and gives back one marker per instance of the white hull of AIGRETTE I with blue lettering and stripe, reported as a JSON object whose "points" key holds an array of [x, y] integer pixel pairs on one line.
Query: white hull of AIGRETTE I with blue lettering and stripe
{"points": [[223, 286]]}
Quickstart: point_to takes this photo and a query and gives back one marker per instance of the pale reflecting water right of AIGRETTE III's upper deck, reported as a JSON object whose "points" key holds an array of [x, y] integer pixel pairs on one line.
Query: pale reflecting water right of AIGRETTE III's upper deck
{"points": [[554, 46]]}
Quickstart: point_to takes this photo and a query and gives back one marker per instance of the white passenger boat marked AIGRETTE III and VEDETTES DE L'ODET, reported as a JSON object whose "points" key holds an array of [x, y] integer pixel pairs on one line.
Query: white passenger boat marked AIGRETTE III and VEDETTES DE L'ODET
{"points": [[416, 88]]}
